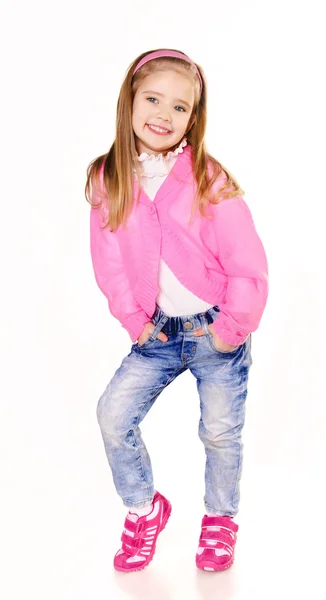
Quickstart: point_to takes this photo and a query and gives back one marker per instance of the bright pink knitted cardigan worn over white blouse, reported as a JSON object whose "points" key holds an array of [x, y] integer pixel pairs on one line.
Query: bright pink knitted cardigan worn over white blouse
{"points": [[220, 260]]}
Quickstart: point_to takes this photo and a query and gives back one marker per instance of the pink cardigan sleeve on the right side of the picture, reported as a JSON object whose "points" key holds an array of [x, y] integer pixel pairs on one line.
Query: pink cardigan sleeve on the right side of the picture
{"points": [[242, 256]]}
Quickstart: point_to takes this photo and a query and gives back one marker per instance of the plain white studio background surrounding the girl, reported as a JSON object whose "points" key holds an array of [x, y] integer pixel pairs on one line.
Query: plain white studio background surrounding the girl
{"points": [[62, 67]]}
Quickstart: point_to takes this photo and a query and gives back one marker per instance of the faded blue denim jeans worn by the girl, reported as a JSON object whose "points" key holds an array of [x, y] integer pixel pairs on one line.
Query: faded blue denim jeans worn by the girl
{"points": [[222, 386]]}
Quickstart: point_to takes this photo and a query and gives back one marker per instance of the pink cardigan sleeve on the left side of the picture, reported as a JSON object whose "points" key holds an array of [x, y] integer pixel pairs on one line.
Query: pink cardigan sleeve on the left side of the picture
{"points": [[111, 277]]}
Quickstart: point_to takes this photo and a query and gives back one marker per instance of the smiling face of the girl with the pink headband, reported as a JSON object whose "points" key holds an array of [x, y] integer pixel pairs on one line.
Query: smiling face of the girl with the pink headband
{"points": [[161, 110]]}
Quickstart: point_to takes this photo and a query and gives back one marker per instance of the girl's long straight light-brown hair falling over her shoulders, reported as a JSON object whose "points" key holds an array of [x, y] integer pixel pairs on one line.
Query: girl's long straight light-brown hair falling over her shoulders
{"points": [[119, 163]]}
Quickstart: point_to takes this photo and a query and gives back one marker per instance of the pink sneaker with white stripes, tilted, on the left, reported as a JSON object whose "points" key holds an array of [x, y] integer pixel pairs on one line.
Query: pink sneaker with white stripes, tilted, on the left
{"points": [[138, 550]]}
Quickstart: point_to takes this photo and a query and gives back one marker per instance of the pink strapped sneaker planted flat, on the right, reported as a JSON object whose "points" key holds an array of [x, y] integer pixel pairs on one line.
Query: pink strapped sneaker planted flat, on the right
{"points": [[216, 543]]}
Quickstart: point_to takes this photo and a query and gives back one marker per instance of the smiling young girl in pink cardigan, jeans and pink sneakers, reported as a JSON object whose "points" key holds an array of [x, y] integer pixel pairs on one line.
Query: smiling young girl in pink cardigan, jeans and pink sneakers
{"points": [[176, 253]]}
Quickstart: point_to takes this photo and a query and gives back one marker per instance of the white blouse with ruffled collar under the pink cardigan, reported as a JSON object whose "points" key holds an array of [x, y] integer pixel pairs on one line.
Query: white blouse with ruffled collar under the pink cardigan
{"points": [[173, 298]]}
